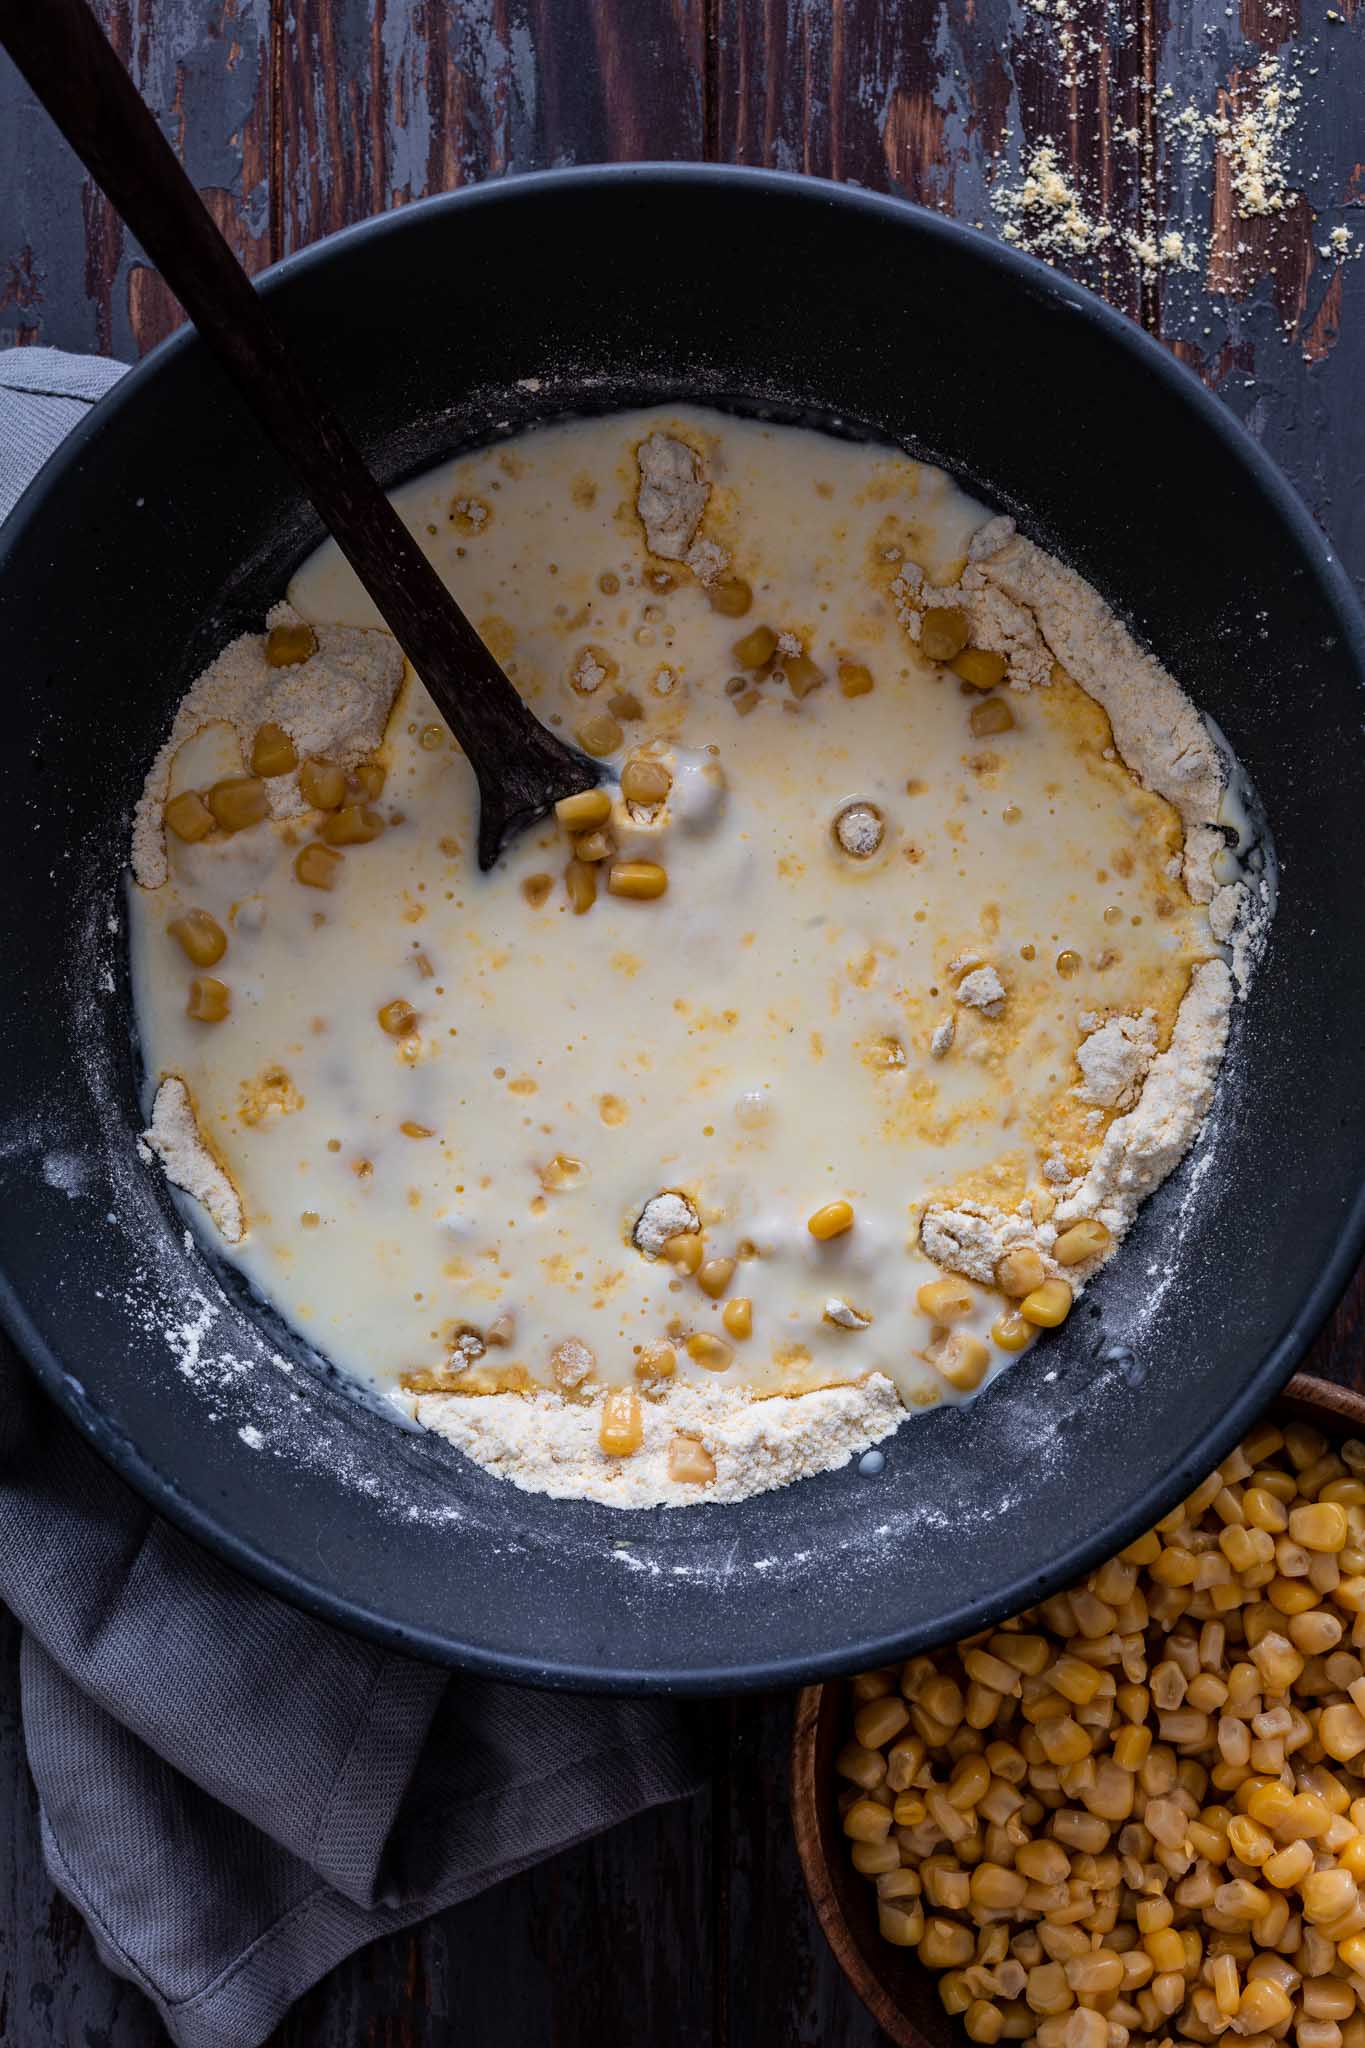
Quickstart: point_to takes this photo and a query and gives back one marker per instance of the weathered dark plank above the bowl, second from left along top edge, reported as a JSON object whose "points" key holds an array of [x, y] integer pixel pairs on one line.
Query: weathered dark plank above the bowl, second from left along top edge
{"points": [[384, 103]]}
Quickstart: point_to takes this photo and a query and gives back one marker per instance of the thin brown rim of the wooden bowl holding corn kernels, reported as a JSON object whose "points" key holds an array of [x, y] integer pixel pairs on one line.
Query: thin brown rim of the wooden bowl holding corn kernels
{"points": [[1323, 1400]]}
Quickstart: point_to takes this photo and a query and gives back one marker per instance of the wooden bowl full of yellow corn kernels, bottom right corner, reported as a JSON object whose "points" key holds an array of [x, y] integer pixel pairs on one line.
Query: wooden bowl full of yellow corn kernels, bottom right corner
{"points": [[1135, 1814]]}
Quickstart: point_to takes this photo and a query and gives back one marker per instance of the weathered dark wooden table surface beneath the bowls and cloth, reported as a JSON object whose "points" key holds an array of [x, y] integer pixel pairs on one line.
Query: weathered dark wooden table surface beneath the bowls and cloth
{"points": [[1082, 126]]}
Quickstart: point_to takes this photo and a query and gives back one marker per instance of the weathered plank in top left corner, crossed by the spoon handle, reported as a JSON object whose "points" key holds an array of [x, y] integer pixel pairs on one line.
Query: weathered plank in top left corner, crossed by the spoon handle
{"points": [[69, 273]]}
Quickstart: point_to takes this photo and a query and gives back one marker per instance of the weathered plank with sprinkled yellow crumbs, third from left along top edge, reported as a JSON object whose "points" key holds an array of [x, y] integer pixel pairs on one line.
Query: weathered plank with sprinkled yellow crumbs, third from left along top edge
{"points": [[953, 110]]}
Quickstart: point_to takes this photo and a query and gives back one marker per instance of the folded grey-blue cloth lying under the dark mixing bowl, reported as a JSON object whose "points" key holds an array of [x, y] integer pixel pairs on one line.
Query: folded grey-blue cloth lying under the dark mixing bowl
{"points": [[232, 1793]]}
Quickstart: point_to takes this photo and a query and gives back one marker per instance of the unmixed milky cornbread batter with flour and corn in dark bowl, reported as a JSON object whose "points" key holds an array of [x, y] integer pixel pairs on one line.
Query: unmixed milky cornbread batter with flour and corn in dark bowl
{"points": [[873, 966]]}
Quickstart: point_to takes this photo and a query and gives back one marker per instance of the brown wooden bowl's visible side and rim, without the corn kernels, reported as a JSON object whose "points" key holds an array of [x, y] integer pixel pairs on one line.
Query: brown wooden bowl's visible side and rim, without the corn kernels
{"points": [[897, 1992]]}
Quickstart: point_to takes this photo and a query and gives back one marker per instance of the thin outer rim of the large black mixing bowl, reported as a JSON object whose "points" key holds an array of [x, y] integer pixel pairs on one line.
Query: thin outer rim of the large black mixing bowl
{"points": [[1339, 595]]}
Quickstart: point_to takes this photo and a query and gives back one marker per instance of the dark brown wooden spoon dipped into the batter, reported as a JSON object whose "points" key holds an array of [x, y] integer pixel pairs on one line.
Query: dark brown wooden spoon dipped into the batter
{"points": [[521, 767]]}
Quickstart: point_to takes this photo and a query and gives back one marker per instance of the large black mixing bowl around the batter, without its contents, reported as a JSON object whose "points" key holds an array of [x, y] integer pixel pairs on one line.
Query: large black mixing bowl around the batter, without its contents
{"points": [[167, 525]]}
